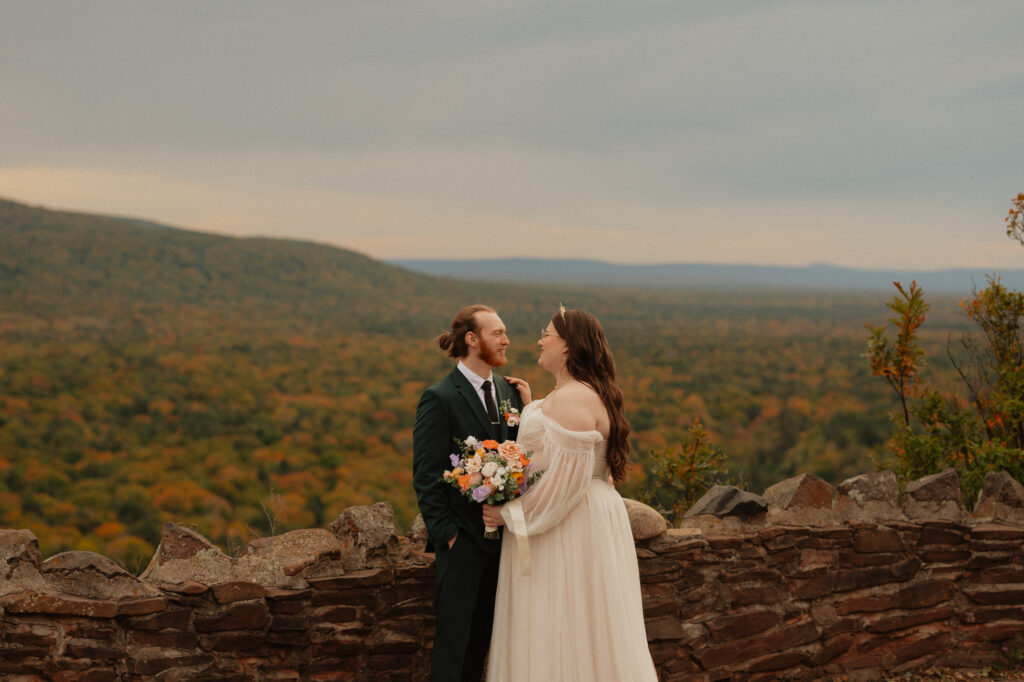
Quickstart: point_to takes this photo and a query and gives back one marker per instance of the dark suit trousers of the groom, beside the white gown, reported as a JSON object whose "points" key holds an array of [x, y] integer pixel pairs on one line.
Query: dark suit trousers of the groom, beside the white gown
{"points": [[467, 580]]}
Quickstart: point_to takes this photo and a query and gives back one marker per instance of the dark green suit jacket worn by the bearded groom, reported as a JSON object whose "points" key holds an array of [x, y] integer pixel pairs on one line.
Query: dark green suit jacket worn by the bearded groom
{"points": [[452, 409]]}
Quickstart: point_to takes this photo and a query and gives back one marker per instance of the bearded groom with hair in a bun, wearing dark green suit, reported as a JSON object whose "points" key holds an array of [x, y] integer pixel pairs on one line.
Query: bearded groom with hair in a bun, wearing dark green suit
{"points": [[467, 403]]}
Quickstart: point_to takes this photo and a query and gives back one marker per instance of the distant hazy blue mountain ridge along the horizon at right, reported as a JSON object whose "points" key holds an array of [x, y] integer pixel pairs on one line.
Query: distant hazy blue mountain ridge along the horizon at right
{"points": [[705, 276]]}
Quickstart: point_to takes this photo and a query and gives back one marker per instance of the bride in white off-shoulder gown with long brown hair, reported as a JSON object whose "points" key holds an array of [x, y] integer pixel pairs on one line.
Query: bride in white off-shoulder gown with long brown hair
{"points": [[569, 605]]}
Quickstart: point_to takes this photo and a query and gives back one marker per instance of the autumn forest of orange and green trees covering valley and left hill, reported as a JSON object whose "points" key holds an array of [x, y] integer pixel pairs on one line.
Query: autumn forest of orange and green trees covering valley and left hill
{"points": [[248, 388]]}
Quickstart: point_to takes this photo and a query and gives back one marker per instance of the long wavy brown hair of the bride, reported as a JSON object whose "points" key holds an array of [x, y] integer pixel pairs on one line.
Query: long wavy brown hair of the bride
{"points": [[590, 361]]}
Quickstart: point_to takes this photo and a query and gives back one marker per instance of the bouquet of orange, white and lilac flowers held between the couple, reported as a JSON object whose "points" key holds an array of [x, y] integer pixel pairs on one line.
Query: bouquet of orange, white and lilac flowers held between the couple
{"points": [[491, 473]]}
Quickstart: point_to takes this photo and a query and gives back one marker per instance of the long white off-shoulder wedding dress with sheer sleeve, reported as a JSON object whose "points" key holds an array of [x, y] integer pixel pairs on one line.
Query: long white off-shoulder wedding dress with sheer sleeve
{"points": [[579, 615]]}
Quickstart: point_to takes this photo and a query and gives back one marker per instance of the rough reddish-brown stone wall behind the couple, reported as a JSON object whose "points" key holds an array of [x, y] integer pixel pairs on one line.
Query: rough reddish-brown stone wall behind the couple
{"points": [[806, 582]]}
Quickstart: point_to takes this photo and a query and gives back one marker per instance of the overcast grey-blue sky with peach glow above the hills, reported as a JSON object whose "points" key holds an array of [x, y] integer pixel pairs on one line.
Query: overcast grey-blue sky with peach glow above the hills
{"points": [[860, 134]]}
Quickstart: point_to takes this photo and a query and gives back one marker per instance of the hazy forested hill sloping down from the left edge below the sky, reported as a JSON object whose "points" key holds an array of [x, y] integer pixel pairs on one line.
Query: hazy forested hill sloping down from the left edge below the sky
{"points": [[53, 258]]}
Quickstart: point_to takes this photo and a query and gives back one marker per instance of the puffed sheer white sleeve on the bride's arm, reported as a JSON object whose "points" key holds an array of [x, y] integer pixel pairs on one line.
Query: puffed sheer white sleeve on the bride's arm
{"points": [[562, 488]]}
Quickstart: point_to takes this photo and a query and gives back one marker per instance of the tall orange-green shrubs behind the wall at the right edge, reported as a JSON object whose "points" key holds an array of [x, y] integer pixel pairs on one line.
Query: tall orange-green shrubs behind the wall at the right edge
{"points": [[984, 434]]}
